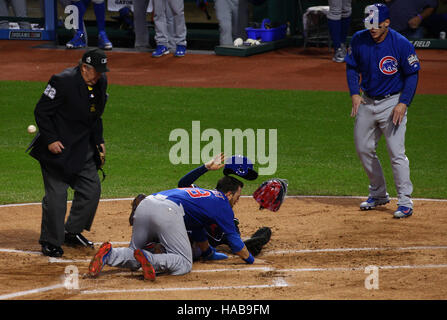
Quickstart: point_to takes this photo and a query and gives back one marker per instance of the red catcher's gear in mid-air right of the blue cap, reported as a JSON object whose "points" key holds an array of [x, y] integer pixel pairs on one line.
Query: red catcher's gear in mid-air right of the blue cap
{"points": [[271, 194]]}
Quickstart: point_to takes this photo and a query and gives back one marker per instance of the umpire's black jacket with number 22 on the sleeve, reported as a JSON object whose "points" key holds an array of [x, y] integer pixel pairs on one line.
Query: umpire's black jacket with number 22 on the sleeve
{"points": [[69, 111]]}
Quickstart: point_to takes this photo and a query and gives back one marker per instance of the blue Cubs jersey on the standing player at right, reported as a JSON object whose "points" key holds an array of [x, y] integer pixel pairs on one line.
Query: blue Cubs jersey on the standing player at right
{"points": [[383, 66]]}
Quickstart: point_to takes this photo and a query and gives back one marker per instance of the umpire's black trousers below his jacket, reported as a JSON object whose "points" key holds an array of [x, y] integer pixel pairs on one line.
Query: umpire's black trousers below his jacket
{"points": [[87, 191]]}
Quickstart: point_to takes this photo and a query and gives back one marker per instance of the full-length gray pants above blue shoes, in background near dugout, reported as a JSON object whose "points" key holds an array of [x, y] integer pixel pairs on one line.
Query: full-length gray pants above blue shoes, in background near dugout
{"points": [[162, 34]]}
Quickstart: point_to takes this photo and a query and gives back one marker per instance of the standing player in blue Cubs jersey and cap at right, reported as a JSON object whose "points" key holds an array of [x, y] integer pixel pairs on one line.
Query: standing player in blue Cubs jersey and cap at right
{"points": [[388, 66]]}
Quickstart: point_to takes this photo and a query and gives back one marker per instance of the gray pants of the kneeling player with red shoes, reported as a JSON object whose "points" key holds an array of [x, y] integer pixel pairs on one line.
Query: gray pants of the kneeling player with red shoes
{"points": [[162, 219]]}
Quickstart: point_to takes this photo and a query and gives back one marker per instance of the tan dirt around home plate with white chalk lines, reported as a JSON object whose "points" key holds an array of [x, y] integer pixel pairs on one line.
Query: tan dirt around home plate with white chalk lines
{"points": [[319, 249]]}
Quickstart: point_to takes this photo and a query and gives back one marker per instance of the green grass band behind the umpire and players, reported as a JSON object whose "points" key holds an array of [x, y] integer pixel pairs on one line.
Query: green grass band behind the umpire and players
{"points": [[315, 139]]}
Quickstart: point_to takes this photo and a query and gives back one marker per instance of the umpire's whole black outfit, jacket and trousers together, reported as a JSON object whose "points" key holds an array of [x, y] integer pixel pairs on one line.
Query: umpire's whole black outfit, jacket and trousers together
{"points": [[69, 111]]}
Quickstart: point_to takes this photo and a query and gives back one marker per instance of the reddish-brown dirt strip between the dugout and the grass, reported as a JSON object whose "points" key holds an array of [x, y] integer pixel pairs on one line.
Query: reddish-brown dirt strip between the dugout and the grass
{"points": [[289, 68]]}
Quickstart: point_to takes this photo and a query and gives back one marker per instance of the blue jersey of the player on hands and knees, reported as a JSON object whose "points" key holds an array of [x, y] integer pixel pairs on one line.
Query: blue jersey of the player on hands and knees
{"points": [[204, 207]]}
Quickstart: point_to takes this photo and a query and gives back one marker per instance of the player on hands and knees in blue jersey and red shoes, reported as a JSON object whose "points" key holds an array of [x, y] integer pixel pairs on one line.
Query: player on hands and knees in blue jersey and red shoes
{"points": [[165, 216]]}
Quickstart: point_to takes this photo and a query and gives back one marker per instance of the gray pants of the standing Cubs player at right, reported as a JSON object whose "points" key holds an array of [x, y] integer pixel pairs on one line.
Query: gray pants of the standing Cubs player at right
{"points": [[374, 119]]}
